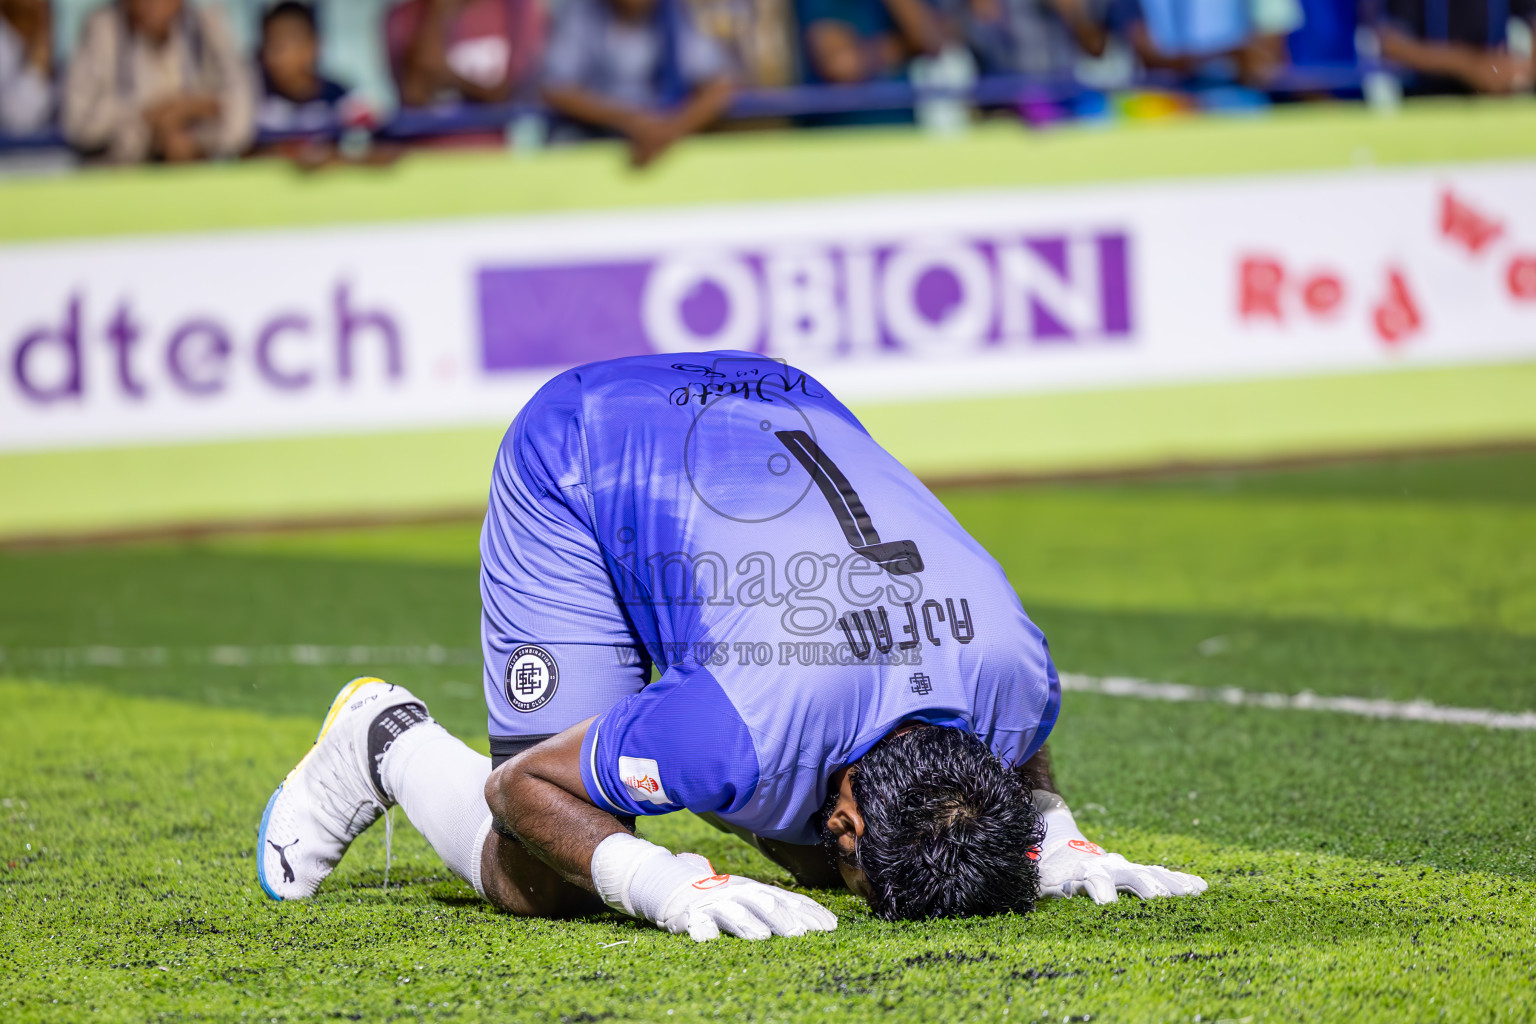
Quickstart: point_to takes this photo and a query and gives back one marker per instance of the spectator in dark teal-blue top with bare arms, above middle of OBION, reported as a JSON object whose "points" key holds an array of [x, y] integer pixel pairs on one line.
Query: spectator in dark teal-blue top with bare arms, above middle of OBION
{"points": [[866, 41]]}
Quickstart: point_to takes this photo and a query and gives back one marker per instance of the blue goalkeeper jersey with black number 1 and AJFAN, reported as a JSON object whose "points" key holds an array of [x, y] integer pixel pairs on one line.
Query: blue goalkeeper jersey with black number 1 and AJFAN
{"points": [[799, 590]]}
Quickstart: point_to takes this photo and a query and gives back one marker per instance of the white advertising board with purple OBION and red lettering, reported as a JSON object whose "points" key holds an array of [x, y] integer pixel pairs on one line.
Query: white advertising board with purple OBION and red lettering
{"points": [[293, 332]]}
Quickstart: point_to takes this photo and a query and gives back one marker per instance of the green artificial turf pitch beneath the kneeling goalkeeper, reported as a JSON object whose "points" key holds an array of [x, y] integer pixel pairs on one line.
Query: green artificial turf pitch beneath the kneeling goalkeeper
{"points": [[1375, 871]]}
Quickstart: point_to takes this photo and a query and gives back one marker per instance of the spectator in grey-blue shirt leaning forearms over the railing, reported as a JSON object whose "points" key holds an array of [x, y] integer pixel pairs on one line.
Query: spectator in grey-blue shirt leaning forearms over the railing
{"points": [[634, 68]]}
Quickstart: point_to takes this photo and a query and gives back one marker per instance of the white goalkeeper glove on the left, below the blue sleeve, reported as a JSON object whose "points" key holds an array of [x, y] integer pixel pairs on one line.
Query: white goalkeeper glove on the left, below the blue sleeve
{"points": [[683, 894]]}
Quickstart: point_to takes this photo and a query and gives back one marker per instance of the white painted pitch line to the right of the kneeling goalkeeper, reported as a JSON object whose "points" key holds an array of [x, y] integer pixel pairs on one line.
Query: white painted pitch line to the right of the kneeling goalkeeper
{"points": [[1306, 701]]}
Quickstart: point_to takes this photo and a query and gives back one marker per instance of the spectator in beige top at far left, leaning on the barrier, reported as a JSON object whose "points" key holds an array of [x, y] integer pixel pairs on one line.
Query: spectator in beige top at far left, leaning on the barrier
{"points": [[159, 81]]}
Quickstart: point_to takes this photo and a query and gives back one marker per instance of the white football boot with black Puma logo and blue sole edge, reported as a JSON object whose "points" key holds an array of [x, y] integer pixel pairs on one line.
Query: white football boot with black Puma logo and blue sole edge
{"points": [[329, 798]]}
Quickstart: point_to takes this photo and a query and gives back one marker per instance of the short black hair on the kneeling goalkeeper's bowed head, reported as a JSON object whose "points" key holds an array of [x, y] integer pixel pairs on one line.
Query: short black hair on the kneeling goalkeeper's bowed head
{"points": [[950, 831]]}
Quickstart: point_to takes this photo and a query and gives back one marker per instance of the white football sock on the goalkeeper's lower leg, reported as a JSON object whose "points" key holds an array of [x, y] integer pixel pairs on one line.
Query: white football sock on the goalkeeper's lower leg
{"points": [[442, 787]]}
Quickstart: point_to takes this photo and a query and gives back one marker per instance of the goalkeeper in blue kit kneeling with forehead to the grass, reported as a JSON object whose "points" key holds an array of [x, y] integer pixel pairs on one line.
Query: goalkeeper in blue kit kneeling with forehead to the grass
{"points": [[847, 681]]}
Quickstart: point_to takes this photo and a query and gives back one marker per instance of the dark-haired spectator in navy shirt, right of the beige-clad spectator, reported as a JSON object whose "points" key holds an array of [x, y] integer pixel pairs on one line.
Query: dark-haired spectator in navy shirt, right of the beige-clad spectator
{"points": [[296, 97]]}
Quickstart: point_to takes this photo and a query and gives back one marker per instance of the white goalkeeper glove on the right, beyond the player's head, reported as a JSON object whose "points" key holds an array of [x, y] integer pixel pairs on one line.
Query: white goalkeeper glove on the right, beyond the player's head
{"points": [[1071, 865]]}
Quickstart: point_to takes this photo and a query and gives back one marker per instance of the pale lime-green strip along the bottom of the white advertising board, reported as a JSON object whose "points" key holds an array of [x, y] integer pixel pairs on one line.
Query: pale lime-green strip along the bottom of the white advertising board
{"points": [[431, 474]]}
